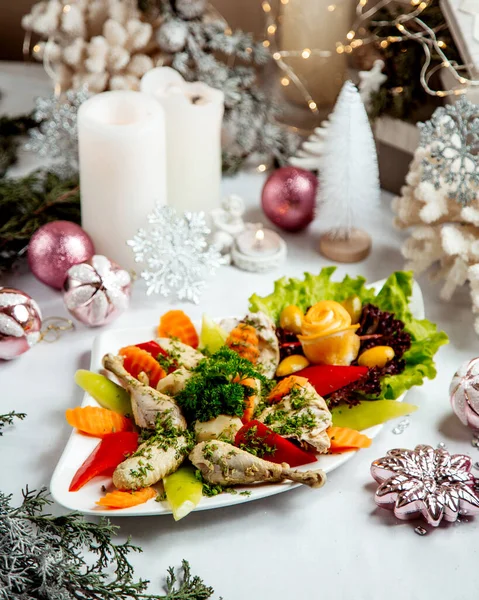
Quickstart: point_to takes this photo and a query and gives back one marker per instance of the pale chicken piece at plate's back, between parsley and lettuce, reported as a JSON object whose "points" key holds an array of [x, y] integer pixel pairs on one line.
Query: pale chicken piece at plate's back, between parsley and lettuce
{"points": [[268, 359]]}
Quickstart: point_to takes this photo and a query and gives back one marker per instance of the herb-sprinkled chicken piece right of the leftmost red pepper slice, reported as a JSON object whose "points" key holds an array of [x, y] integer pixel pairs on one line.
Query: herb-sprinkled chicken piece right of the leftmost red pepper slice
{"points": [[151, 462]]}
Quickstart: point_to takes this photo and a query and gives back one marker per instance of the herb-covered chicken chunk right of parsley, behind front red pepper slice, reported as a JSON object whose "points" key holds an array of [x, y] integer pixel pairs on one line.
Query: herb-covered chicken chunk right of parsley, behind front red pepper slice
{"points": [[301, 415]]}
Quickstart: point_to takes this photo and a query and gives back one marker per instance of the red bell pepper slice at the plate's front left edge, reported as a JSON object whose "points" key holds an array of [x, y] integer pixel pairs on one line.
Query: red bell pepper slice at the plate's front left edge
{"points": [[106, 456]]}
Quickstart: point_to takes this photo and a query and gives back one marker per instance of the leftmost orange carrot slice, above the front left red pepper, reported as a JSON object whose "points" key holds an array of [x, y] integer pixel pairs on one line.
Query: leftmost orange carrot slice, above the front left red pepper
{"points": [[97, 421]]}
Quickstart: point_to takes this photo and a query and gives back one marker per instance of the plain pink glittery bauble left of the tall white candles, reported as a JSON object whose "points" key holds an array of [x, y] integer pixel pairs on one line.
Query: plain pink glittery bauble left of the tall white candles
{"points": [[54, 248]]}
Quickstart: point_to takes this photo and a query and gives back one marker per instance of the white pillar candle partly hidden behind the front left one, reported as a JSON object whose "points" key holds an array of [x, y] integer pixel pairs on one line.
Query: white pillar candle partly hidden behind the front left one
{"points": [[194, 113]]}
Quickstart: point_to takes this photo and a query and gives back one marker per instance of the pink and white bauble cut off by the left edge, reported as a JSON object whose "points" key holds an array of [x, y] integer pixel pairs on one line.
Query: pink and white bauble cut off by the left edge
{"points": [[20, 323]]}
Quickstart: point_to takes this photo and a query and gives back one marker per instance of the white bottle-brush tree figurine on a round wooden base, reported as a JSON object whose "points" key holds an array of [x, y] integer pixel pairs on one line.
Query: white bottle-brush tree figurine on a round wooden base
{"points": [[349, 179]]}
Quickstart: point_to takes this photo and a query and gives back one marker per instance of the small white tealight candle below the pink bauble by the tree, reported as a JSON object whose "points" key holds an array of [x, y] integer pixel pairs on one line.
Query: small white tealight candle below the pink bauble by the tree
{"points": [[258, 249]]}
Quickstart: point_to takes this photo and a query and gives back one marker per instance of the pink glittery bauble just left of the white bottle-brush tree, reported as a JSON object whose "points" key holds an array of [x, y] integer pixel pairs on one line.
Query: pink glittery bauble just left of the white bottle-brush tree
{"points": [[289, 198]]}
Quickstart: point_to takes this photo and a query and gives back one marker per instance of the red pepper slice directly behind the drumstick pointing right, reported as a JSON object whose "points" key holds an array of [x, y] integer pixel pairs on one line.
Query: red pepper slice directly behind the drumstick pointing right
{"points": [[256, 435]]}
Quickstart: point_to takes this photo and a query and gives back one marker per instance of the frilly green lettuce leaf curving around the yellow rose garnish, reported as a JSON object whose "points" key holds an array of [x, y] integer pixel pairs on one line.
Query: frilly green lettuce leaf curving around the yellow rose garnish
{"points": [[393, 297]]}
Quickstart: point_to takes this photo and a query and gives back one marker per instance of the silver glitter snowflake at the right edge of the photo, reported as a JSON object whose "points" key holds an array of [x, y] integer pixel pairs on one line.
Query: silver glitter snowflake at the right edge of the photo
{"points": [[452, 135]]}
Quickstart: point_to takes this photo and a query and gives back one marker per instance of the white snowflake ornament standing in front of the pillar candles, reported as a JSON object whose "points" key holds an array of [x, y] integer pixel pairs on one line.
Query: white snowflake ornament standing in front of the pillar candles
{"points": [[176, 253]]}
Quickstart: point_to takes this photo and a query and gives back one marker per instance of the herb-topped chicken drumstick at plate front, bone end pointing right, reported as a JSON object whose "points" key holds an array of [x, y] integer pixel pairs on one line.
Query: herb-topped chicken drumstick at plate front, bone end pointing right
{"points": [[224, 464]]}
